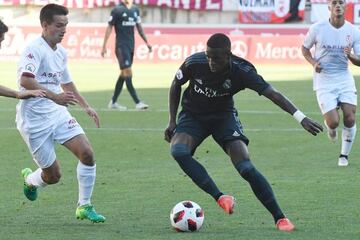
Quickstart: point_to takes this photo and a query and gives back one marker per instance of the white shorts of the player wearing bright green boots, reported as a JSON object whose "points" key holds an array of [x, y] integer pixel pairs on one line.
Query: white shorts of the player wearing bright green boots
{"points": [[42, 144]]}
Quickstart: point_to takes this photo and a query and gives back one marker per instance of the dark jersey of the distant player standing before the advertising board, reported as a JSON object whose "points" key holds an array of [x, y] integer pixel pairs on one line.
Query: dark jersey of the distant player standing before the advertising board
{"points": [[124, 21]]}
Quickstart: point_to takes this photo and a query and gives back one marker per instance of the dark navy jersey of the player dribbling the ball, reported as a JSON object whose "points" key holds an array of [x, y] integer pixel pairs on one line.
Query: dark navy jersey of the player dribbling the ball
{"points": [[210, 92]]}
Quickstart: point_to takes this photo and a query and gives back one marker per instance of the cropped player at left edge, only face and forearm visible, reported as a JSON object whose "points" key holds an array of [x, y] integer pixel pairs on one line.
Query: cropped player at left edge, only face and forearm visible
{"points": [[6, 92]]}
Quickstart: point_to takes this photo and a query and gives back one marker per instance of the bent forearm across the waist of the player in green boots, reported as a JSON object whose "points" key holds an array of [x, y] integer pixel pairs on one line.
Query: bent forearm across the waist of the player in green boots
{"points": [[65, 98]]}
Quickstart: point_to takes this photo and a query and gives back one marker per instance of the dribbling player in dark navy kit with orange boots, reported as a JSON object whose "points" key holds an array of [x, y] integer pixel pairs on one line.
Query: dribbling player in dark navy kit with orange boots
{"points": [[208, 109]]}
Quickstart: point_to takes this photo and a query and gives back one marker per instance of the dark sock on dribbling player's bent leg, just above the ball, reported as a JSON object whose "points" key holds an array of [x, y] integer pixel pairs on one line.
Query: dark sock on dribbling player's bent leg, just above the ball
{"points": [[195, 170]]}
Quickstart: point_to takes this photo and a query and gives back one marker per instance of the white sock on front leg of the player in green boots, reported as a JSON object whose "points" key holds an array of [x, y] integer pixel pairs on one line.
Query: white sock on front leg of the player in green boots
{"points": [[86, 178]]}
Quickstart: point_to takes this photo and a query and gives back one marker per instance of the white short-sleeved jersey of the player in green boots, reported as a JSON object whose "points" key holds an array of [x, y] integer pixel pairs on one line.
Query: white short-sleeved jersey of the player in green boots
{"points": [[49, 68]]}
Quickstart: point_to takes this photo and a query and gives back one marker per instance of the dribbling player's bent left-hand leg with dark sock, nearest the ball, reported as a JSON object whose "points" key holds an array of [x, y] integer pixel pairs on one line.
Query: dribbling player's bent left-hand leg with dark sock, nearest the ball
{"points": [[189, 134]]}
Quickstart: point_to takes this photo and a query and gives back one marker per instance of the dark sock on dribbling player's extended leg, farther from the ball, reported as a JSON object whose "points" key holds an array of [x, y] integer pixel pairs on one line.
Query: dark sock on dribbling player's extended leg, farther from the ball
{"points": [[260, 187]]}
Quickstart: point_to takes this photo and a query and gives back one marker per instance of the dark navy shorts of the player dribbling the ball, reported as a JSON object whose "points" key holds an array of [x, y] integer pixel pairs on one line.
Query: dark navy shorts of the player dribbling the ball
{"points": [[224, 127]]}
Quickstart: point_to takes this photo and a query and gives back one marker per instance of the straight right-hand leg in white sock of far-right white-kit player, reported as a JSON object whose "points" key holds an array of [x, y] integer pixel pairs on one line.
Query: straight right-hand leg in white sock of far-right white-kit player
{"points": [[348, 132]]}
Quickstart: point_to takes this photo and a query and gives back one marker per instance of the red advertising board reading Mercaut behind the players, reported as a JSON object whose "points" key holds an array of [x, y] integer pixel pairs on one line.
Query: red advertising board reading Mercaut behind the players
{"points": [[84, 43]]}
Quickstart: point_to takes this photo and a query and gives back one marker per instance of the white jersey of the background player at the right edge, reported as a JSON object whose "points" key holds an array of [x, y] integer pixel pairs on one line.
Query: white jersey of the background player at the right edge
{"points": [[329, 52]]}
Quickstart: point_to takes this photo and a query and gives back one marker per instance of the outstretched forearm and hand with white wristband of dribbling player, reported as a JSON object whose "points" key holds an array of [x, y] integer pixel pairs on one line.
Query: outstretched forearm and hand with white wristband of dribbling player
{"points": [[284, 103]]}
